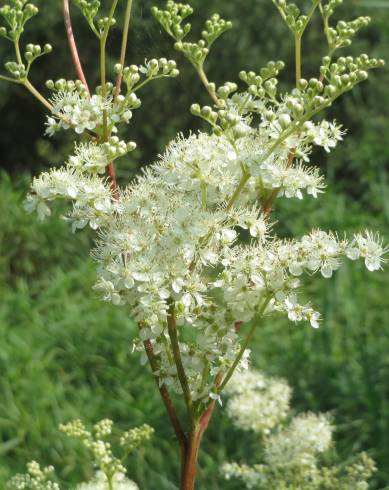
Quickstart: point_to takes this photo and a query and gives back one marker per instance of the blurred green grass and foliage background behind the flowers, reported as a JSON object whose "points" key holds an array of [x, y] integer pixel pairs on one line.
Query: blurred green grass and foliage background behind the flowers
{"points": [[63, 354]]}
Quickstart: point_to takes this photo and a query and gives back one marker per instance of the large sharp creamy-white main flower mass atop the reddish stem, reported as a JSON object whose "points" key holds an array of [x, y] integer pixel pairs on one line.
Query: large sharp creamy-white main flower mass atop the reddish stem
{"points": [[168, 249]]}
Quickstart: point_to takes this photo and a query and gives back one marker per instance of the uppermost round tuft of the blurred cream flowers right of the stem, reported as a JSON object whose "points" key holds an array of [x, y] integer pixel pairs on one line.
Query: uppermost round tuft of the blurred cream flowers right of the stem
{"points": [[256, 402]]}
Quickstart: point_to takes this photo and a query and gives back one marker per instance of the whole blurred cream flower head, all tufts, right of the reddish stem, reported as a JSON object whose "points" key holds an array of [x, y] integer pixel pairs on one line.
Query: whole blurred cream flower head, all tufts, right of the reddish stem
{"points": [[291, 452]]}
